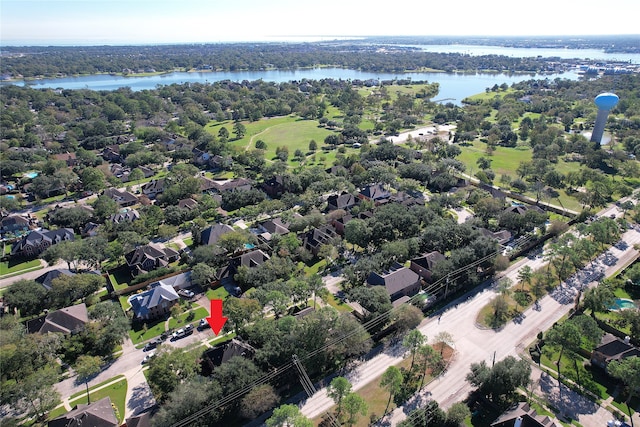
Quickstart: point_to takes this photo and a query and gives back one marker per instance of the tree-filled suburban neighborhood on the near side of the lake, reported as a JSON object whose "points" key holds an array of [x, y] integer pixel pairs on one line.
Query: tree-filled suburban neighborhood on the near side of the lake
{"points": [[321, 252]]}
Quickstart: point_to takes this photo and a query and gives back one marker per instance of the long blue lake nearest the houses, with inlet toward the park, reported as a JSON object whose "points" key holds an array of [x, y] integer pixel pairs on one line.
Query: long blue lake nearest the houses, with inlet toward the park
{"points": [[453, 87]]}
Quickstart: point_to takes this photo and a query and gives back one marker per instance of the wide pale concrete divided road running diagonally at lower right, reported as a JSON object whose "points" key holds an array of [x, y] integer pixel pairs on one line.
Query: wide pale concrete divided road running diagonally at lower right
{"points": [[473, 344]]}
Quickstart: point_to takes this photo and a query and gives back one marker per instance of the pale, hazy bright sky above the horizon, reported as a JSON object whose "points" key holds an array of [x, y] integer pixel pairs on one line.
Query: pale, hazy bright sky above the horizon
{"points": [[64, 22]]}
